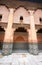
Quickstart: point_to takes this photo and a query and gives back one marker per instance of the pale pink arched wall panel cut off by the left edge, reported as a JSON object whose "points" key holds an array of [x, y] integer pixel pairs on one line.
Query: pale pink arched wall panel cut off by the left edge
{"points": [[4, 11]]}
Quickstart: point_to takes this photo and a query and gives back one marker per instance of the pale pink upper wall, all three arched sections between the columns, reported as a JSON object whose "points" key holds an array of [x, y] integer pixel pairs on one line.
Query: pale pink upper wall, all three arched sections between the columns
{"points": [[21, 11]]}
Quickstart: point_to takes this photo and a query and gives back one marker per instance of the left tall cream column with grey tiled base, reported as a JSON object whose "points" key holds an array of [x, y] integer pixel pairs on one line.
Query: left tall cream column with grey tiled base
{"points": [[8, 39]]}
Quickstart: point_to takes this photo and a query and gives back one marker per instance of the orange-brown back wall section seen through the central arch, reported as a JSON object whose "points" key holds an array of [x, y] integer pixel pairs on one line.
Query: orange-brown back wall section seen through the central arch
{"points": [[20, 37]]}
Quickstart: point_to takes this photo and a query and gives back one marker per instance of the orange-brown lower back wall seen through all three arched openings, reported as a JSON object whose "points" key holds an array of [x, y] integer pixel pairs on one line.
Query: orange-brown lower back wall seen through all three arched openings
{"points": [[21, 37]]}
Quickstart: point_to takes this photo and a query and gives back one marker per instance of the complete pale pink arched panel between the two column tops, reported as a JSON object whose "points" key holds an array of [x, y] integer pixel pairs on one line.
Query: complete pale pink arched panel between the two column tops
{"points": [[21, 11]]}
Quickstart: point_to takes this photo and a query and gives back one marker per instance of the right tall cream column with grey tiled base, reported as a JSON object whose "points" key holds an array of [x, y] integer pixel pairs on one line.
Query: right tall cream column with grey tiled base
{"points": [[33, 39]]}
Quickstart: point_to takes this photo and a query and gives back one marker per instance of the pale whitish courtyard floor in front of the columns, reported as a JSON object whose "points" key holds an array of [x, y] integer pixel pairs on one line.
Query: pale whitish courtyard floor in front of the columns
{"points": [[21, 59]]}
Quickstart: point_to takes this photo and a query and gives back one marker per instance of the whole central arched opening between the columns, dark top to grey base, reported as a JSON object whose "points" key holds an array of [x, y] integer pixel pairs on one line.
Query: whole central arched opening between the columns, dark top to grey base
{"points": [[20, 39]]}
